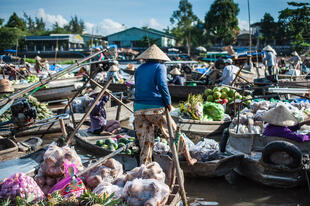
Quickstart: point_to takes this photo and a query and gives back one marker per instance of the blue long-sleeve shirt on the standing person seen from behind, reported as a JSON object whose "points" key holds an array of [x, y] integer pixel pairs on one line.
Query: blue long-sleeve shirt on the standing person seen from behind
{"points": [[151, 85]]}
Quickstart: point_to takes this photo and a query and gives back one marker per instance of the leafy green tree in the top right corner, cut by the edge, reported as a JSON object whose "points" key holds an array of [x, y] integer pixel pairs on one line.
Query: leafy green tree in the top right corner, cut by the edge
{"points": [[295, 23]]}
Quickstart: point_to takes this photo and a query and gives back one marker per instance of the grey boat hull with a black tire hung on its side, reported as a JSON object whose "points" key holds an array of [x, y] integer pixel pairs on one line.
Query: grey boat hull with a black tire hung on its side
{"points": [[252, 166]]}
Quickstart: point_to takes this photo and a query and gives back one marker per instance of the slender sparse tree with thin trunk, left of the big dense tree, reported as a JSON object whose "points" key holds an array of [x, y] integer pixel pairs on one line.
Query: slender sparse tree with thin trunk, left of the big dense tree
{"points": [[184, 18]]}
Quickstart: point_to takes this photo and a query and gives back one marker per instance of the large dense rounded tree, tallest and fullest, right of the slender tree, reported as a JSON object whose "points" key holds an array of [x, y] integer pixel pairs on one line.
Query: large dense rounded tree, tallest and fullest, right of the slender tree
{"points": [[221, 22]]}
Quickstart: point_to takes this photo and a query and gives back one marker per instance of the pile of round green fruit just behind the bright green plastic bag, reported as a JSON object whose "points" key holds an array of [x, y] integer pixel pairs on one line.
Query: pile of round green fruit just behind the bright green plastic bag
{"points": [[224, 95]]}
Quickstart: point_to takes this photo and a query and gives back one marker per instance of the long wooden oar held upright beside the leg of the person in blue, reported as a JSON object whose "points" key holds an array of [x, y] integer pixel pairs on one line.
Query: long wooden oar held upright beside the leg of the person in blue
{"points": [[176, 160]]}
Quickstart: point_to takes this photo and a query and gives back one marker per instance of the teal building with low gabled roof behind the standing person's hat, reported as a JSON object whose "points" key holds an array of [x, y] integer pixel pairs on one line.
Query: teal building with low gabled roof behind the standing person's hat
{"points": [[136, 38]]}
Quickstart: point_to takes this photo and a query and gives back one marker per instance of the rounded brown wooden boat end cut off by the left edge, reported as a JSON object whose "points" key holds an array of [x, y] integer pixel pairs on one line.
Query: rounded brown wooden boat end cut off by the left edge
{"points": [[8, 149]]}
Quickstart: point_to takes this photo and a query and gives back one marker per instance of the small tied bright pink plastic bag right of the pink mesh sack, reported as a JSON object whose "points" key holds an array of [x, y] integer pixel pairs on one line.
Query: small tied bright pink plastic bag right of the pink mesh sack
{"points": [[70, 185]]}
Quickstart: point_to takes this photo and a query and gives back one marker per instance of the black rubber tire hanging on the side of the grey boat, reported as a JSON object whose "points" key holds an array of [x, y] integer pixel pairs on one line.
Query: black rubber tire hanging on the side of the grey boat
{"points": [[282, 146]]}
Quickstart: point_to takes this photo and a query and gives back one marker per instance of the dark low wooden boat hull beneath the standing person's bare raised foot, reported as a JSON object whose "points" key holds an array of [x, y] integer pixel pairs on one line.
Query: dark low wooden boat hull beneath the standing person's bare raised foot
{"points": [[215, 168]]}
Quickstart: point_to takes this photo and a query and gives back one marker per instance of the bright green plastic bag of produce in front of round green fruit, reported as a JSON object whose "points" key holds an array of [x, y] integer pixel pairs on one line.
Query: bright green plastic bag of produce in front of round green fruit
{"points": [[214, 111]]}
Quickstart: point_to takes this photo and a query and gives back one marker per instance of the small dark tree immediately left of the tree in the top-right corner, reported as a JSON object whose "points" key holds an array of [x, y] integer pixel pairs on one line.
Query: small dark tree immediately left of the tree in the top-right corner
{"points": [[268, 28]]}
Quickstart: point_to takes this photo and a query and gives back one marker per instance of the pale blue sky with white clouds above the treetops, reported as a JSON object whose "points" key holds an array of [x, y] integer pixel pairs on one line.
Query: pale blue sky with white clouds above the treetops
{"points": [[109, 16]]}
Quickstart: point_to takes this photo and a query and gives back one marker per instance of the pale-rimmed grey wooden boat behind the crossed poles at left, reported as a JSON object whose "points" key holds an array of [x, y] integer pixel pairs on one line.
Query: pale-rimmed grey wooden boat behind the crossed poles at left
{"points": [[57, 89]]}
